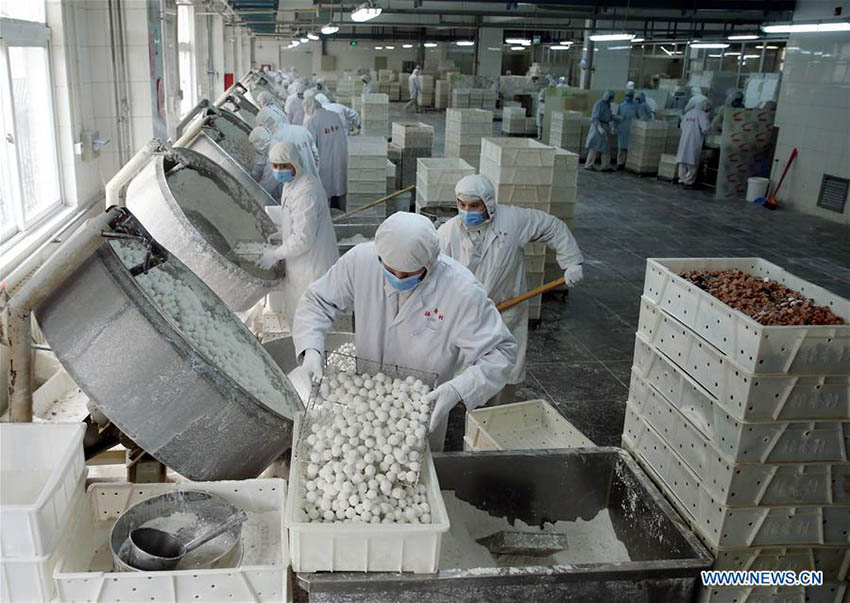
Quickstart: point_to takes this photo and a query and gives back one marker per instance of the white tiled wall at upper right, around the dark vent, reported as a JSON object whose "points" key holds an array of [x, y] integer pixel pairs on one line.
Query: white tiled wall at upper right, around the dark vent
{"points": [[813, 111]]}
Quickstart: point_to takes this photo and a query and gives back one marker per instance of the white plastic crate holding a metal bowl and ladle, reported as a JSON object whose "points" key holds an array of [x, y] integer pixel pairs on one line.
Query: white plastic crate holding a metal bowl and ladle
{"points": [[82, 575]]}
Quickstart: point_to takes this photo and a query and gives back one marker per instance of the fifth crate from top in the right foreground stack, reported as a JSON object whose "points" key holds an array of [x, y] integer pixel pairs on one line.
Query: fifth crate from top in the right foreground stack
{"points": [[723, 527]]}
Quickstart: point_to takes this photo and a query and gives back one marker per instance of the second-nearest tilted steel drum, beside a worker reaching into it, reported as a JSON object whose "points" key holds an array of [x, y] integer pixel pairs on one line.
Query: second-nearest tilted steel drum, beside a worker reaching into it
{"points": [[208, 218]]}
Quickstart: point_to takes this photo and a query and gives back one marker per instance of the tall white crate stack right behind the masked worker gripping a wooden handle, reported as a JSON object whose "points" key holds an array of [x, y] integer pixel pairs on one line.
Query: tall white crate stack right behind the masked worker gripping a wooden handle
{"points": [[522, 172]]}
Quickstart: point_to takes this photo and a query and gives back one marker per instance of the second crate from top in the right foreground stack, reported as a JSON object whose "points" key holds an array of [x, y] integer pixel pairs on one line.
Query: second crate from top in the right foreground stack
{"points": [[741, 394]]}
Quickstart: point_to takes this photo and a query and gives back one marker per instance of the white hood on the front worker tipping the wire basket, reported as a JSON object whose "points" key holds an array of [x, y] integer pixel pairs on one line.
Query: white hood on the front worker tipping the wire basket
{"points": [[407, 242]]}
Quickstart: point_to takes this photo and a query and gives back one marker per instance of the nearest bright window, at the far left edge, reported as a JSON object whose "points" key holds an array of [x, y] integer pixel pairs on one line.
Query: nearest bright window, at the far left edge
{"points": [[30, 177]]}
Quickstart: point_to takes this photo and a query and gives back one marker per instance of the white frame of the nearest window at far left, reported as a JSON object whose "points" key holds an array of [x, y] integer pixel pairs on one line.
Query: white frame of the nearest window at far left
{"points": [[15, 34]]}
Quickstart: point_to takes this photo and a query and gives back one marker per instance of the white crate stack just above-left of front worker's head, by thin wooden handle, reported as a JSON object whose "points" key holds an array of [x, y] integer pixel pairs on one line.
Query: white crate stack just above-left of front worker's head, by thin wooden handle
{"points": [[367, 174]]}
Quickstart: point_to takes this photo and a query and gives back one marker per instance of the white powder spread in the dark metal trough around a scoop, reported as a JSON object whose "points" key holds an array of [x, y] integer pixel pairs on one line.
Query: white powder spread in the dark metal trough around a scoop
{"points": [[591, 541]]}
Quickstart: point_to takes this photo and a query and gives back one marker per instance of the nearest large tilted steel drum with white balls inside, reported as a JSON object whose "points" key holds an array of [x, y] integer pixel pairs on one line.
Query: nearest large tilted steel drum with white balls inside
{"points": [[167, 363]]}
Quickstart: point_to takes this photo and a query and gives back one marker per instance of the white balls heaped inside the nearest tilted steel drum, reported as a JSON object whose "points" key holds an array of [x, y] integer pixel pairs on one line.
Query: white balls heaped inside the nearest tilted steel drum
{"points": [[209, 326]]}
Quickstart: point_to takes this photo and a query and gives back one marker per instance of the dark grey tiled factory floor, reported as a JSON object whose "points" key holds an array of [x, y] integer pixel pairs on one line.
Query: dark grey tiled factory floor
{"points": [[580, 356]]}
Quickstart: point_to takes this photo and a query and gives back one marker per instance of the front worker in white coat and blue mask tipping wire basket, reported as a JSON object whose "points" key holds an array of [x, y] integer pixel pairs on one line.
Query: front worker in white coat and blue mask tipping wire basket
{"points": [[415, 308]]}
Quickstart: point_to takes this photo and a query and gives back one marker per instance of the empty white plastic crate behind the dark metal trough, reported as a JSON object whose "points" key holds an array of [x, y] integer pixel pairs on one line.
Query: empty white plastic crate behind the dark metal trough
{"points": [[530, 425]]}
